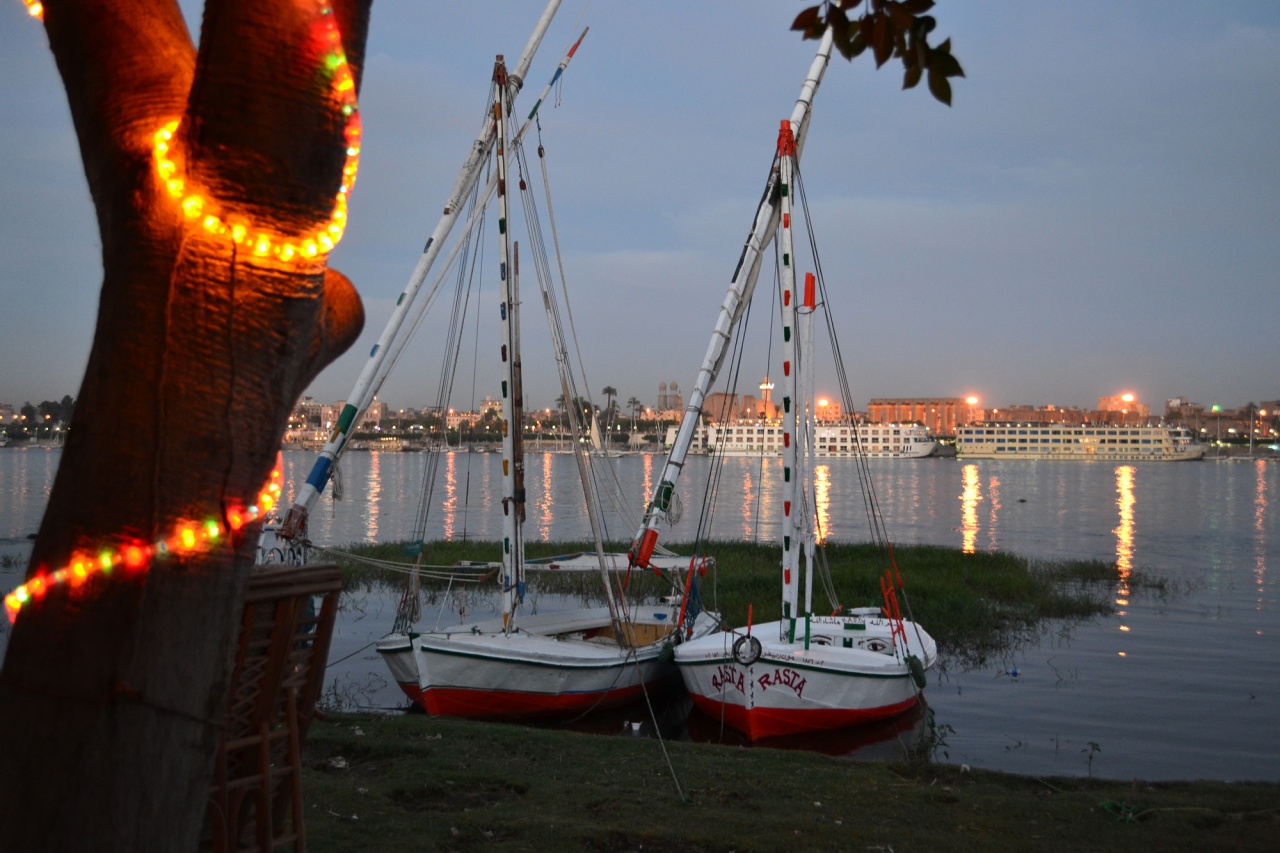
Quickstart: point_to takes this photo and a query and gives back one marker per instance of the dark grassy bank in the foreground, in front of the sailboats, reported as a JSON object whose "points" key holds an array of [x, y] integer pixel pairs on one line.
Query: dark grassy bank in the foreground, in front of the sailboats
{"points": [[388, 783]]}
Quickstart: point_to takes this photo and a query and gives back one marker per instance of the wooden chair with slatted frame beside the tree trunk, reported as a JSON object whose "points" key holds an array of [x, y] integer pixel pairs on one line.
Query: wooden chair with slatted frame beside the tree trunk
{"points": [[255, 802]]}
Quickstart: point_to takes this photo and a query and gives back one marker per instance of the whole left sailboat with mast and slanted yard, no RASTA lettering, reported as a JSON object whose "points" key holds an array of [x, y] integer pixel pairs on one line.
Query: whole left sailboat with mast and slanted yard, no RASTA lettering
{"points": [[522, 664]]}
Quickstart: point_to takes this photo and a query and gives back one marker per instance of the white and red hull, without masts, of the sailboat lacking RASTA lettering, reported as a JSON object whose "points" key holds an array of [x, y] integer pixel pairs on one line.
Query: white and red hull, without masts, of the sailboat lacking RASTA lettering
{"points": [[552, 665]]}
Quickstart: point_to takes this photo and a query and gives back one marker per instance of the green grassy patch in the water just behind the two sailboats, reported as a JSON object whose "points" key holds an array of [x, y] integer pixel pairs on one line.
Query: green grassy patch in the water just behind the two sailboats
{"points": [[976, 605]]}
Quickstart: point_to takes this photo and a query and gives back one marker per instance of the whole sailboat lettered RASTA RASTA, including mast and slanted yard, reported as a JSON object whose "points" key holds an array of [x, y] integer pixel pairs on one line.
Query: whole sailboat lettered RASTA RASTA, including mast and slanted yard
{"points": [[806, 672]]}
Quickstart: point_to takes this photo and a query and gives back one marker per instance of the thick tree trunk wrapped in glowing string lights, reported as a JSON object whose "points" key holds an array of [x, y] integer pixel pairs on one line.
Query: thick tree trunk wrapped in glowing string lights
{"points": [[112, 696]]}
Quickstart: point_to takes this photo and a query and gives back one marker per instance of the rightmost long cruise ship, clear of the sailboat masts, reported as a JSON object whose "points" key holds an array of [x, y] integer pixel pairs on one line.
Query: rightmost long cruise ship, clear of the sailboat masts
{"points": [[1109, 444]]}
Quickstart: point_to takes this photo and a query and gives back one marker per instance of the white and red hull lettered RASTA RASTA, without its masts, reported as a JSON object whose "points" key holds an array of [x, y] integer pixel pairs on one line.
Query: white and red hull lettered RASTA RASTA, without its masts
{"points": [[790, 690]]}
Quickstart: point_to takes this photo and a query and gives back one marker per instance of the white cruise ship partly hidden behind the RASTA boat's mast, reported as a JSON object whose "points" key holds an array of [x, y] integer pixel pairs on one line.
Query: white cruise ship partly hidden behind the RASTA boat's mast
{"points": [[834, 440]]}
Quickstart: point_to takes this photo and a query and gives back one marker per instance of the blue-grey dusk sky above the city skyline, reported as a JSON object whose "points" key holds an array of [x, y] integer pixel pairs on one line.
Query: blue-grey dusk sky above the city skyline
{"points": [[1098, 213]]}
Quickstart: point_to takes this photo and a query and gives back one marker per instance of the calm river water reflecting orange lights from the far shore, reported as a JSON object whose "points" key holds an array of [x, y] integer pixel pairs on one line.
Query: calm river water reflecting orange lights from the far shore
{"points": [[1177, 686]]}
